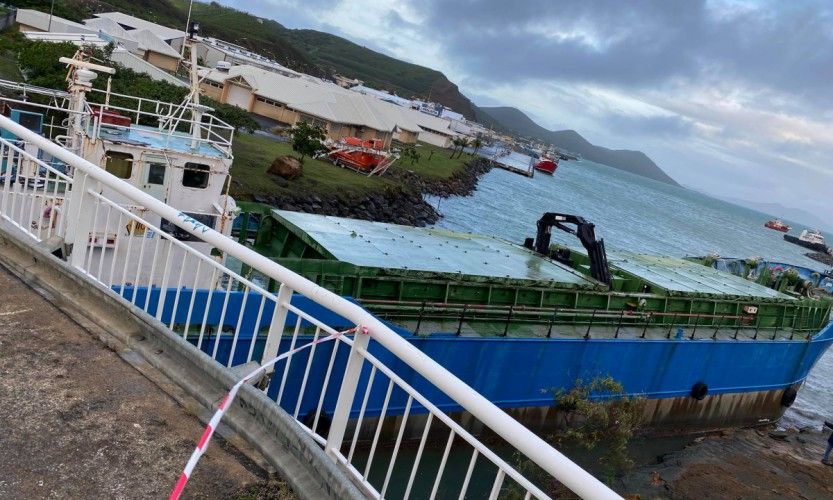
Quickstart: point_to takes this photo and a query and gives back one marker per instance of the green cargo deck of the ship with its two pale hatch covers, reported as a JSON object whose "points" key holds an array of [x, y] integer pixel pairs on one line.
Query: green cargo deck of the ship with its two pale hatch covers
{"points": [[432, 280]]}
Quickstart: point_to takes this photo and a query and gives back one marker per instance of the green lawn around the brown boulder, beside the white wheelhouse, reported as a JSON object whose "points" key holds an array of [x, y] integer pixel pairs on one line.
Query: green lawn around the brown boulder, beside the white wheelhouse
{"points": [[253, 155]]}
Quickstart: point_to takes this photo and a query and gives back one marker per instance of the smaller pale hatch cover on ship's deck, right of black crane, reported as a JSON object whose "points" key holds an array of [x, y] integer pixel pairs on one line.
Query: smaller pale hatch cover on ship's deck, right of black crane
{"points": [[678, 275]]}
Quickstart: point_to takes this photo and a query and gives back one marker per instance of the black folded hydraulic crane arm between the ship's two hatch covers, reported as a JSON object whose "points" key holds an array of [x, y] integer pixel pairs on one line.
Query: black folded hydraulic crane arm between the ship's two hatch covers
{"points": [[585, 231]]}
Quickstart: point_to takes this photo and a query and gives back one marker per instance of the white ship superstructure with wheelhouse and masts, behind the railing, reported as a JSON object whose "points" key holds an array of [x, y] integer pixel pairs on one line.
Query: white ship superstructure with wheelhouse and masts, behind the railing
{"points": [[179, 153]]}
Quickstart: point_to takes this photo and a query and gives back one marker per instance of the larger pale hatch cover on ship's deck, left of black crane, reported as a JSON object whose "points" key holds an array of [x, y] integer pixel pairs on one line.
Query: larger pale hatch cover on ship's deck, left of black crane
{"points": [[391, 246]]}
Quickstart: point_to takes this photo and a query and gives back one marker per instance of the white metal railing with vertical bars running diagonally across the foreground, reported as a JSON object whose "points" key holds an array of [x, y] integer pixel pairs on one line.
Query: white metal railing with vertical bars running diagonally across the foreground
{"points": [[342, 393]]}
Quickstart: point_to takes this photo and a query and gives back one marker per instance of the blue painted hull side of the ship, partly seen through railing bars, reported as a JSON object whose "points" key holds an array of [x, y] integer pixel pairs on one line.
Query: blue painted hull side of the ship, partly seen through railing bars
{"points": [[520, 373]]}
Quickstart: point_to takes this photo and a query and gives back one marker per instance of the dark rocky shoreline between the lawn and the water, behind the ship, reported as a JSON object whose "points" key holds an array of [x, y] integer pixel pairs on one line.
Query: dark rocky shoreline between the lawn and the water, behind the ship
{"points": [[399, 205]]}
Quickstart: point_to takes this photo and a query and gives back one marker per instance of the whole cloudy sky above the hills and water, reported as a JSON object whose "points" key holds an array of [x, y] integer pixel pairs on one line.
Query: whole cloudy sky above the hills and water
{"points": [[730, 97]]}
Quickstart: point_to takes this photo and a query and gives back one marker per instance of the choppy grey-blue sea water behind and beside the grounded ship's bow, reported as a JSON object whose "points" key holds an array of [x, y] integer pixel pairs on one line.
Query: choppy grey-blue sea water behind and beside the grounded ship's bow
{"points": [[636, 214]]}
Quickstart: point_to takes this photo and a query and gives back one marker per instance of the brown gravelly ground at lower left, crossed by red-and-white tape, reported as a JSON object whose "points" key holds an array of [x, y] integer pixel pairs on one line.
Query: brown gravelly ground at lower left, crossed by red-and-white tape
{"points": [[76, 421]]}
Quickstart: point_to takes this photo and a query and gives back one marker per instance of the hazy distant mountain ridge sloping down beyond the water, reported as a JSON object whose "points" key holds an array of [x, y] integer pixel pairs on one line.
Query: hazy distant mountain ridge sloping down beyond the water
{"points": [[516, 121]]}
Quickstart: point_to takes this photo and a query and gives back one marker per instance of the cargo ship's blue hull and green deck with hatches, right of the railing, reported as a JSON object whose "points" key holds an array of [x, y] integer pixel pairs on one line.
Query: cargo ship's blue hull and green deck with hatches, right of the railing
{"points": [[705, 348]]}
